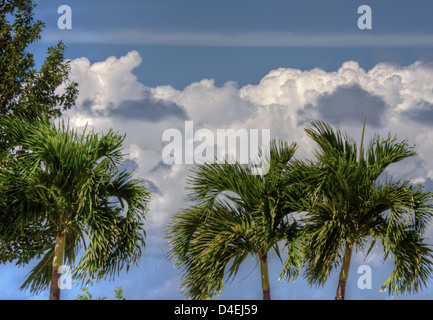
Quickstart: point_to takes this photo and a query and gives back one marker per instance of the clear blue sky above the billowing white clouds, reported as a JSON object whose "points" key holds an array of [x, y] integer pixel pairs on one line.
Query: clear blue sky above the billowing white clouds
{"points": [[179, 64]]}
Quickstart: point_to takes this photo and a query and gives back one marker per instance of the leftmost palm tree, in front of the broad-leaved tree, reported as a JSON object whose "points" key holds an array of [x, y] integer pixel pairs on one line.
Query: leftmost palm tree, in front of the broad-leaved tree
{"points": [[70, 185]]}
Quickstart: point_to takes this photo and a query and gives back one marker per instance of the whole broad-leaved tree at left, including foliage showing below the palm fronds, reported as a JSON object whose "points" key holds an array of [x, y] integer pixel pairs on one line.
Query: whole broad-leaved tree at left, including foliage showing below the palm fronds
{"points": [[29, 94]]}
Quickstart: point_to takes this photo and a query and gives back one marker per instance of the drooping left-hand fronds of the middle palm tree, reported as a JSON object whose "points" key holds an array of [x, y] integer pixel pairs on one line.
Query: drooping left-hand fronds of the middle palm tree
{"points": [[204, 241]]}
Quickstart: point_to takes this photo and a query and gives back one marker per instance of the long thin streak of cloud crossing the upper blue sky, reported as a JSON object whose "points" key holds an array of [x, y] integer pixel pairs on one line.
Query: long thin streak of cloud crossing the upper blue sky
{"points": [[240, 39]]}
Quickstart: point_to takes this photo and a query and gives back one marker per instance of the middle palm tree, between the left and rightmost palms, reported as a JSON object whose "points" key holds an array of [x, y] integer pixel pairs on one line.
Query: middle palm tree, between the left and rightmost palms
{"points": [[235, 213]]}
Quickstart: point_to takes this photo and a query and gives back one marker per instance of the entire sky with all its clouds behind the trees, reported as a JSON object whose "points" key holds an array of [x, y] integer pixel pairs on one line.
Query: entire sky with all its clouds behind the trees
{"points": [[147, 66]]}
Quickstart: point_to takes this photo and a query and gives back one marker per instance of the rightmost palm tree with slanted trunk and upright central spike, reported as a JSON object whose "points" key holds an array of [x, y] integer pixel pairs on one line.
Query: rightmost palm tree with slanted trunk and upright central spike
{"points": [[348, 205]]}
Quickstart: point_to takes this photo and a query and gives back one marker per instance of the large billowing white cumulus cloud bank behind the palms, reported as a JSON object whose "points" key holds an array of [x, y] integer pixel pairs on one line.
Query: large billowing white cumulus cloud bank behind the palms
{"points": [[284, 101]]}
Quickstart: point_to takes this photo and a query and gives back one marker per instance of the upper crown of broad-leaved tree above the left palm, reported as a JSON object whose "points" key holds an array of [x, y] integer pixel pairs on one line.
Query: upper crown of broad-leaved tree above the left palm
{"points": [[24, 89]]}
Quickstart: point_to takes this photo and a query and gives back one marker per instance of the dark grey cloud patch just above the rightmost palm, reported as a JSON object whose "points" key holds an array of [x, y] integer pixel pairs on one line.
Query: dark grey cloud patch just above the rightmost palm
{"points": [[345, 105]]}
